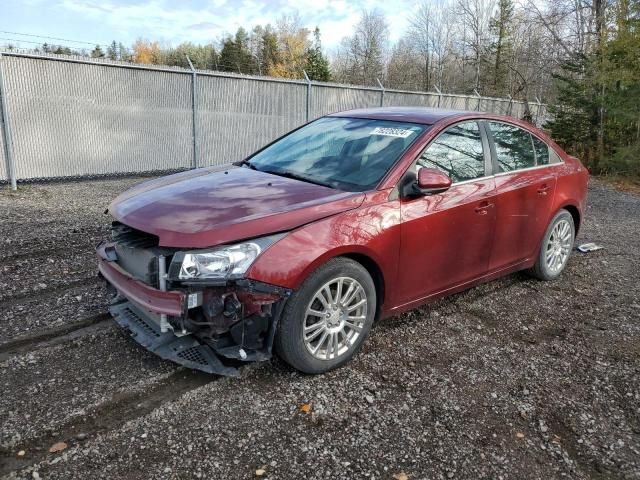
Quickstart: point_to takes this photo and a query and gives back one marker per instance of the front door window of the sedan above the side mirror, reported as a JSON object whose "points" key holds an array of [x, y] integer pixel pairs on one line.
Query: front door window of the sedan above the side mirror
{"points": [[457, 152]]}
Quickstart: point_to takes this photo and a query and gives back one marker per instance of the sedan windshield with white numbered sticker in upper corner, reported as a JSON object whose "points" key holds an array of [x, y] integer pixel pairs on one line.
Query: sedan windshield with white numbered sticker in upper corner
{"points": [[345, 153]]}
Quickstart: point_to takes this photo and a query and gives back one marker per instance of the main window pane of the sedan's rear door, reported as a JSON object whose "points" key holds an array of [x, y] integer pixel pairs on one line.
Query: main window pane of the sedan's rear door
{"points": [[514, 148]]}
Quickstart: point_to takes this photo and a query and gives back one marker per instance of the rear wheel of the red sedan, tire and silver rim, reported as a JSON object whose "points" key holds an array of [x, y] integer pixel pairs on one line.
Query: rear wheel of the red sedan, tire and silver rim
{"points": [[557, 244]]}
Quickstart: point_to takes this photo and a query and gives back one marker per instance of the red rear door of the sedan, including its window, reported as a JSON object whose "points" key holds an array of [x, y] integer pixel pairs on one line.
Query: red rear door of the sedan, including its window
{"points": [[525, 185]]}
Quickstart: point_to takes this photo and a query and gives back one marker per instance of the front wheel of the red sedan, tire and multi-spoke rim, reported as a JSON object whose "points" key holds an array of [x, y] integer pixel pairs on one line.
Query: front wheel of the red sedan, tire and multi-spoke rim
{"points": [[295, 345]]}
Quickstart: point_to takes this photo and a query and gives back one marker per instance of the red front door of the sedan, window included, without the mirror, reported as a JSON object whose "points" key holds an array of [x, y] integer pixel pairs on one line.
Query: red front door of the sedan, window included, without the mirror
{"points": [[446, 238]]}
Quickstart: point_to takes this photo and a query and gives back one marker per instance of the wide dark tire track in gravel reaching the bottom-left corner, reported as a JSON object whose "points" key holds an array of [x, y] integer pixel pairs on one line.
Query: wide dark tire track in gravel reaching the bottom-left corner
{"points": [[111, 415]]}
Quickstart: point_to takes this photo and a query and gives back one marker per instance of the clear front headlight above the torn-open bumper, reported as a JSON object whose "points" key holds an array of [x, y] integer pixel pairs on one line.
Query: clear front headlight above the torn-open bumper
{"points": [[220, 263]]}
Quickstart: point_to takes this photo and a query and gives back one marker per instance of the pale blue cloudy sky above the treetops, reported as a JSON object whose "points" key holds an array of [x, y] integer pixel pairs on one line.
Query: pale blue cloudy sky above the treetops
{"points": [[172, 22]]}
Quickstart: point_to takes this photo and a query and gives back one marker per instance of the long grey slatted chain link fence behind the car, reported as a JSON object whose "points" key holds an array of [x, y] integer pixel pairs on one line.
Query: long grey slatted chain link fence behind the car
{"points": [[77, 117]]}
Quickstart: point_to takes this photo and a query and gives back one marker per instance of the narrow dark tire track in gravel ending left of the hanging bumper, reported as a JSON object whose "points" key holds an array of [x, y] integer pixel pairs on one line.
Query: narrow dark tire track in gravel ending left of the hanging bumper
{"points": [[55, 336]]}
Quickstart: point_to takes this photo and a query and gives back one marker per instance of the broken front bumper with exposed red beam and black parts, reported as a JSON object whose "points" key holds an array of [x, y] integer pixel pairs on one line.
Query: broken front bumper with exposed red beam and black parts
{"points": [[213, 328]]}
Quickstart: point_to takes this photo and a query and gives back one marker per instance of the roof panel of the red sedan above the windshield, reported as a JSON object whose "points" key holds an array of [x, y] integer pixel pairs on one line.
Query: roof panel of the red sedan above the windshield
{"points": [[424, 115]]}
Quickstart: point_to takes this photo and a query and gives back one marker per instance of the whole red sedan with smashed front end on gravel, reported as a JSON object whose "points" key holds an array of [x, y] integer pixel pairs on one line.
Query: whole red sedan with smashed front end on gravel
{"points": [[354, 217]]}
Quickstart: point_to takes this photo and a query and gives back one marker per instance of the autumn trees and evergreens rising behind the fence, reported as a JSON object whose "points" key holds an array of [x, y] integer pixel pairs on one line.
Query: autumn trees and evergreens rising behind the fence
{"points": [[582, 57]]}
